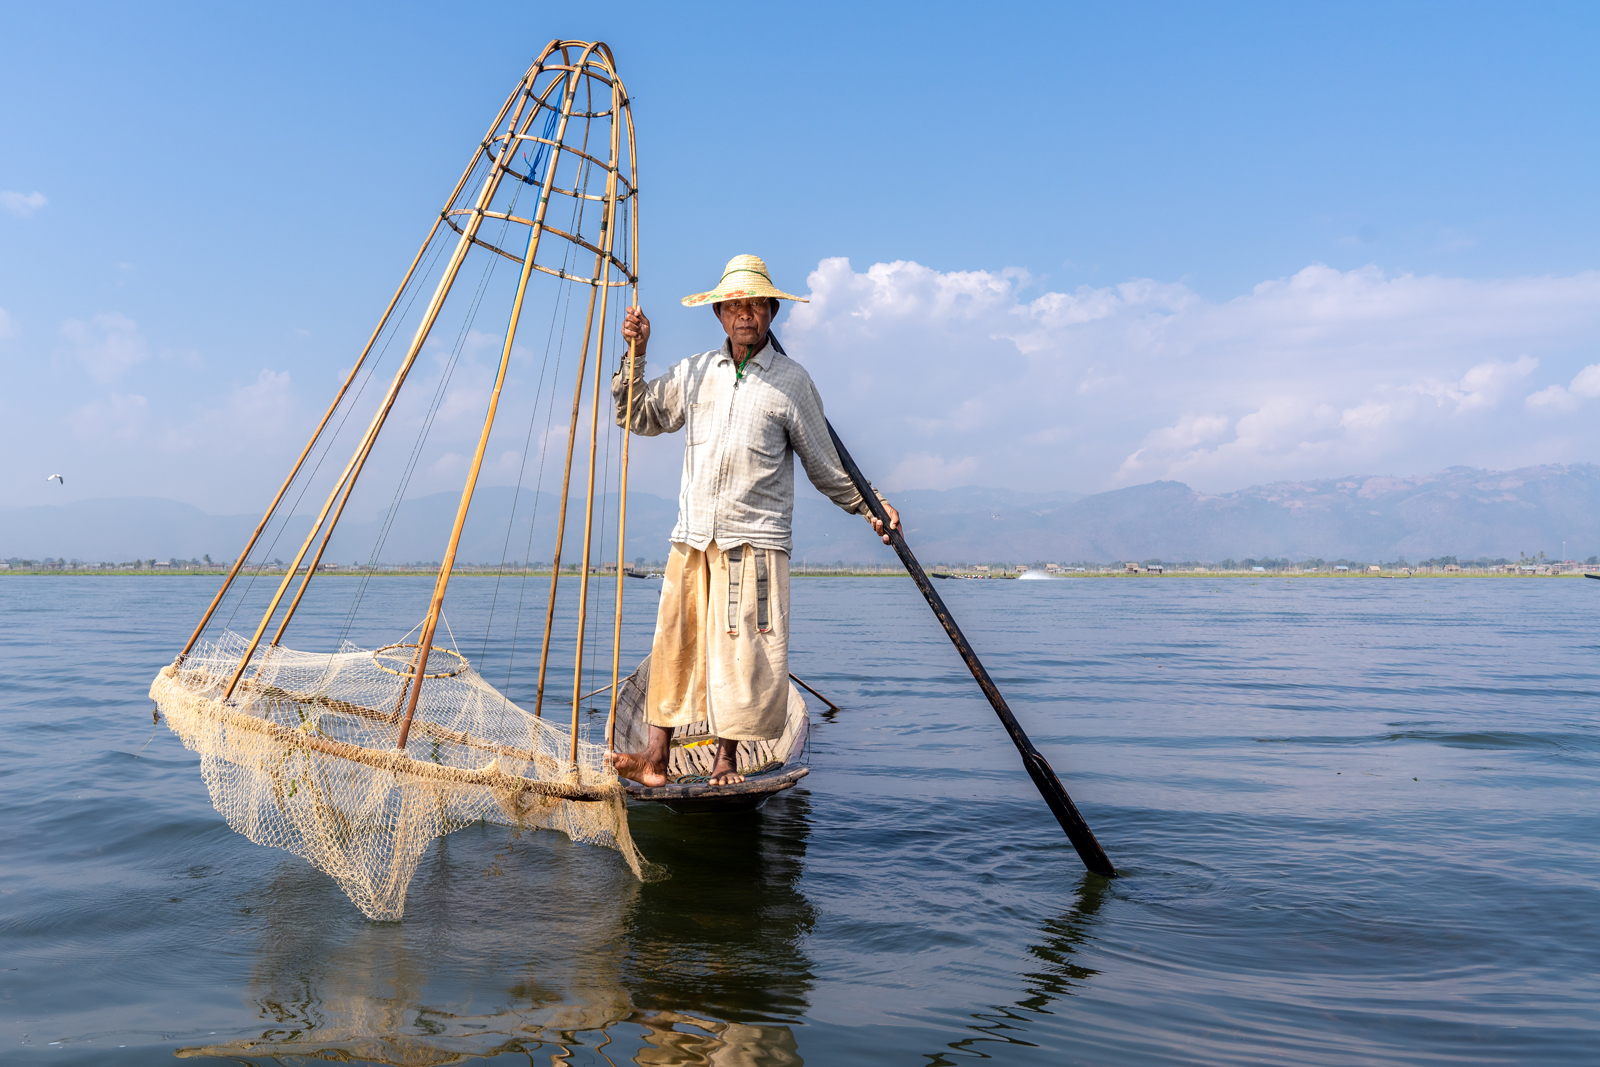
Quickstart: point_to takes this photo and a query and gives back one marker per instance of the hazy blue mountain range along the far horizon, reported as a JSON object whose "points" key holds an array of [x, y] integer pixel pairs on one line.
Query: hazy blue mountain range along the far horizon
{"points": [[1463, 511]]}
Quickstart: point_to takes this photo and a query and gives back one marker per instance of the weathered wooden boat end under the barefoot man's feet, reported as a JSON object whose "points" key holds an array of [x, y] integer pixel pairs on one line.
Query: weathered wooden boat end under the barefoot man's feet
{"points": [[769, 767]]}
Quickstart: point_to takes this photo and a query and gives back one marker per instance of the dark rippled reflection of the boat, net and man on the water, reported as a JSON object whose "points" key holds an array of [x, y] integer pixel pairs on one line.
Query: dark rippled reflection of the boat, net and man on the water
{"points": [[582, 964]]}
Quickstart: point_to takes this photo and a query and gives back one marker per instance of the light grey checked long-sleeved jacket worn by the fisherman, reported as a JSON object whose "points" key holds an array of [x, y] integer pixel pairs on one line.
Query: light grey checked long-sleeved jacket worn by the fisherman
{"points": [[742, 439]]}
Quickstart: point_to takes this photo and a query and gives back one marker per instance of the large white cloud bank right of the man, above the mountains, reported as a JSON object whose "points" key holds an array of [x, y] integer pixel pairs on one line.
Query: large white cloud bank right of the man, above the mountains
{"points": [[1321, 374]]}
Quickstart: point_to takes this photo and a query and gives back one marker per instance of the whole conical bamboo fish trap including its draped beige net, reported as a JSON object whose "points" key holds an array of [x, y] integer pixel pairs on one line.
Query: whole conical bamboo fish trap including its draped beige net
{"points": [[359, 757]]}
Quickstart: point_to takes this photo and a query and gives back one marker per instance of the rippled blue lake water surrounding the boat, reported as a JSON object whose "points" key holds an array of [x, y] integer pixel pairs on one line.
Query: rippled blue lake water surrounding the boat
{"points": [[1359, 823]]}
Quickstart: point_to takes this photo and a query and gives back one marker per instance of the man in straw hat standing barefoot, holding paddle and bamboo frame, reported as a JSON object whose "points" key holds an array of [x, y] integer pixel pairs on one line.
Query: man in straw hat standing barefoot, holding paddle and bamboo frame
{"points": [[722, 629]]}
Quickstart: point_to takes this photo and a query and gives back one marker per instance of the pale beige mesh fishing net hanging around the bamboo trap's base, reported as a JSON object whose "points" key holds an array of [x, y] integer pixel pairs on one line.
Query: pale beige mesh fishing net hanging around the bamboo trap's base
{"points": [[303, 757]]}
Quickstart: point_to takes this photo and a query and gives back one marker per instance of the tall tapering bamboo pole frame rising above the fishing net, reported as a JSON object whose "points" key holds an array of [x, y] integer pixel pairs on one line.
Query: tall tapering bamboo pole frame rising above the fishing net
{"points": [[550, 89]]}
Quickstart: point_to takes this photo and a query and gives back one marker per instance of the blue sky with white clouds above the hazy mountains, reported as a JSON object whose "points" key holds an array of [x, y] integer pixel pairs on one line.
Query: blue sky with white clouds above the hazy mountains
{"points": [[1049, 247]]}
